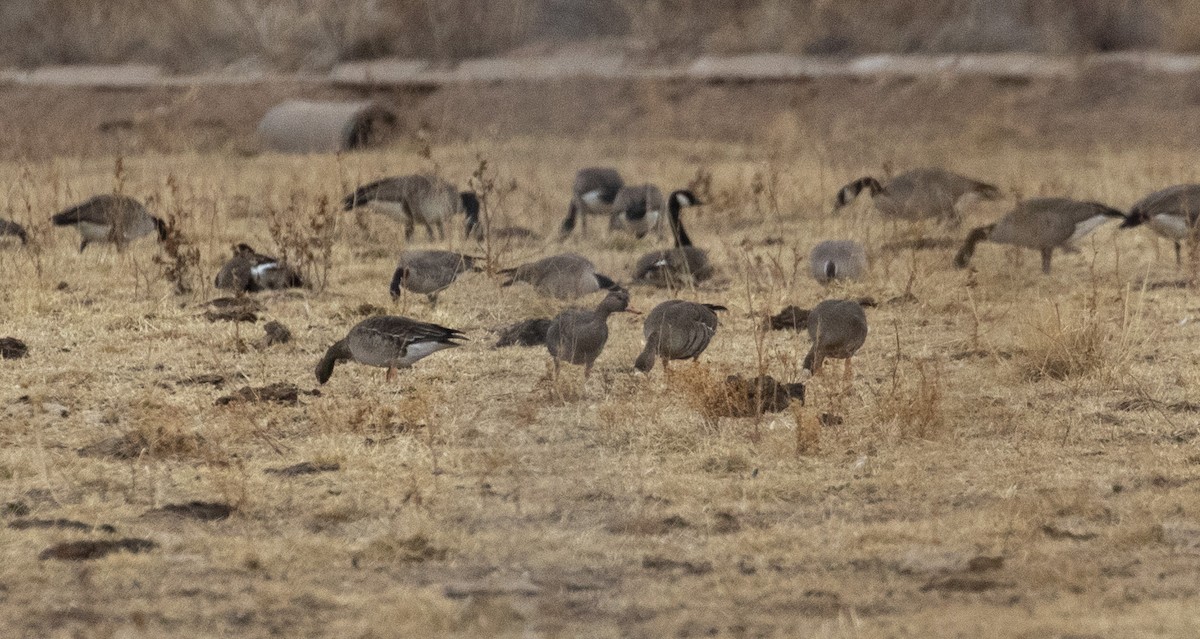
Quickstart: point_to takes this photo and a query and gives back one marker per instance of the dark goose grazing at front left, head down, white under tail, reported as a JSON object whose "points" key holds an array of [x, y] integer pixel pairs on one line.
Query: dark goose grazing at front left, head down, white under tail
{"points": [[388, 342]]}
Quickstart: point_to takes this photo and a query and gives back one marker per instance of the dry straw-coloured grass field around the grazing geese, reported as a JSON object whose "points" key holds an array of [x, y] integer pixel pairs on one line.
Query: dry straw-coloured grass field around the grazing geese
{"points": [[1017, 458]]}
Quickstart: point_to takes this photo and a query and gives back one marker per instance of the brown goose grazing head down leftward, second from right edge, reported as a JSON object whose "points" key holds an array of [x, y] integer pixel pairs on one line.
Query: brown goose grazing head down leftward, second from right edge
{"points": [[1042, 224]]}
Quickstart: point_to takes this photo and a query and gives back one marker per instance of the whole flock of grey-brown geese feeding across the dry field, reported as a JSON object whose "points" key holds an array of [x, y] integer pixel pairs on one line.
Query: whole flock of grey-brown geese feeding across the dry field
{"points": [[675, 330]]}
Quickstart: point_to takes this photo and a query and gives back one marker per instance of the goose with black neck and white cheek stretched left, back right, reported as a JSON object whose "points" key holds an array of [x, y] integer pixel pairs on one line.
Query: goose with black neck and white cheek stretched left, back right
{"points": [[921, 193]]}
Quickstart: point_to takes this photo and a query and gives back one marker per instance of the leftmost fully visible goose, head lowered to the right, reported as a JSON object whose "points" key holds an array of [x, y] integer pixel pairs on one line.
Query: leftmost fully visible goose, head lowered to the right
{"points": [[116, 219]]}
